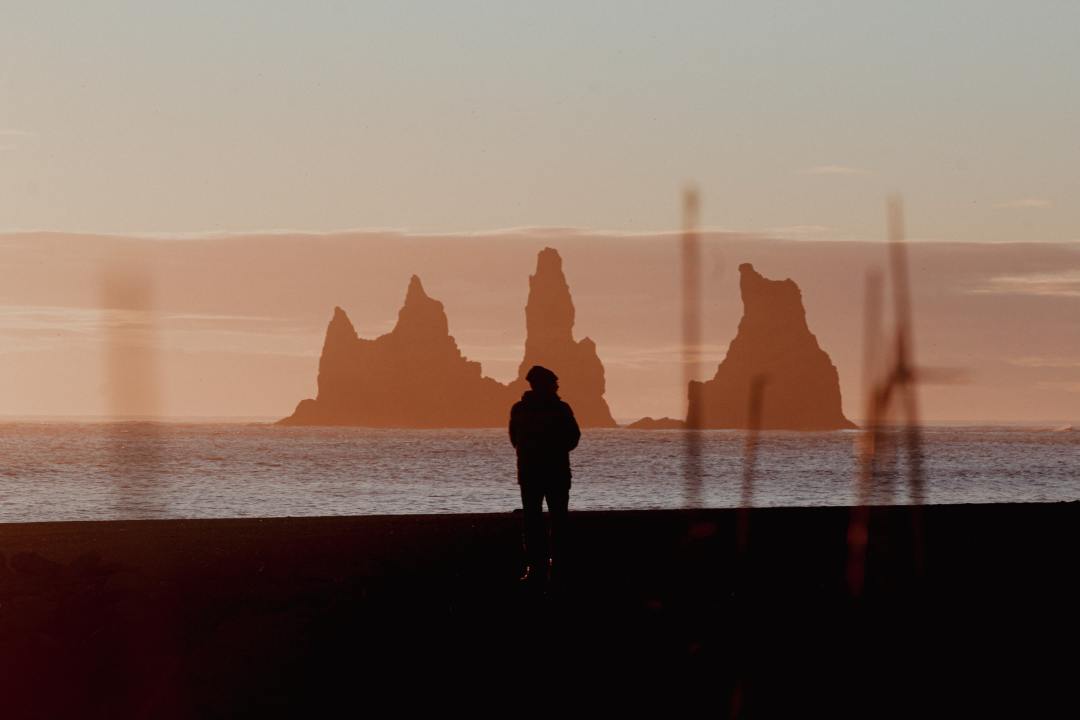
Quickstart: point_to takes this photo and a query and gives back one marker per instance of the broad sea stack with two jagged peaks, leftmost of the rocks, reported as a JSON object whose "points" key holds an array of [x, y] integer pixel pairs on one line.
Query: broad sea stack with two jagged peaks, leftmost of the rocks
{"points": [[412, 377]]}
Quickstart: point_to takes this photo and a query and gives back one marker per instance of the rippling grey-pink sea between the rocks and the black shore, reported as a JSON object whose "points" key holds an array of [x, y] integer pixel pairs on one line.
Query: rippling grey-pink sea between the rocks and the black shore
{"points": [[111, 471]]}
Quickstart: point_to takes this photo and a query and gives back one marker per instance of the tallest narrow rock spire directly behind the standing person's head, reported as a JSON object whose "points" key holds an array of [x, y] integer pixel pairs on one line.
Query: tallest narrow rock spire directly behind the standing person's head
{"points": [[549, 342]]}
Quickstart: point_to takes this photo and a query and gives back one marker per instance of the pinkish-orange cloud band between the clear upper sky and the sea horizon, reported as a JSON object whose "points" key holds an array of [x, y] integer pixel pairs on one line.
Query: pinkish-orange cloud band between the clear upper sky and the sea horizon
{"points": [[234, 324]]}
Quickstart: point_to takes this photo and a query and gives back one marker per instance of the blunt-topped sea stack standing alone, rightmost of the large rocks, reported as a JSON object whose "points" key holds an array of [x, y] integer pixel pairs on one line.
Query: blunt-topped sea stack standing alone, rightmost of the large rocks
{"points": [[801, 388]]}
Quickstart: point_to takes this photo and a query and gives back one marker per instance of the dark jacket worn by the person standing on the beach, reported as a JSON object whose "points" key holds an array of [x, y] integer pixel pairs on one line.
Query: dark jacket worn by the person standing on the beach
{"points": [[544, 431]]}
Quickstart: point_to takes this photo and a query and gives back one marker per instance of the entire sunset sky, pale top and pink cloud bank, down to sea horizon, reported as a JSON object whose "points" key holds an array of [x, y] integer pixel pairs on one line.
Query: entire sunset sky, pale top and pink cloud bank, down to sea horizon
{"points": [[227, 146]]}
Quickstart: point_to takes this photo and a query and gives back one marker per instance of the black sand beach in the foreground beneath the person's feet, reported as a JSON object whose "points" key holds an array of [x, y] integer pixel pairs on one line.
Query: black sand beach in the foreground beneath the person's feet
{"points": [[962, 605]]}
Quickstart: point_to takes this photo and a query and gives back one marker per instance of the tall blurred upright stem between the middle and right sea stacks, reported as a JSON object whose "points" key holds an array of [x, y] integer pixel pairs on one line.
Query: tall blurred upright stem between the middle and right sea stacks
{"points": [[692, 344]]}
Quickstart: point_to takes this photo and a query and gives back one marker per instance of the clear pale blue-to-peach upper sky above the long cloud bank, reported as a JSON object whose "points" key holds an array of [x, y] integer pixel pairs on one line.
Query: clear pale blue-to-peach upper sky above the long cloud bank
{"points": [[437, 117]]}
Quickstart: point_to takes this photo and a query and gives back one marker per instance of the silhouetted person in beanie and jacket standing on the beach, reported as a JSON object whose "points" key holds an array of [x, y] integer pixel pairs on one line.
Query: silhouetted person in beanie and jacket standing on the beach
{"points": [[544, 431]]}
